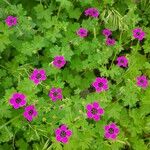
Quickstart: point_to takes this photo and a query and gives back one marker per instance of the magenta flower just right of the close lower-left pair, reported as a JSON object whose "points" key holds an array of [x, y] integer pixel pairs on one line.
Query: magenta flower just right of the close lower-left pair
{"points": [[55, 94]]}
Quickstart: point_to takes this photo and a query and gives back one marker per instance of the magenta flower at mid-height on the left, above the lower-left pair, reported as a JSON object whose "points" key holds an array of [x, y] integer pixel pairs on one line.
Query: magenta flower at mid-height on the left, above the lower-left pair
{"points": [[38, 75]]}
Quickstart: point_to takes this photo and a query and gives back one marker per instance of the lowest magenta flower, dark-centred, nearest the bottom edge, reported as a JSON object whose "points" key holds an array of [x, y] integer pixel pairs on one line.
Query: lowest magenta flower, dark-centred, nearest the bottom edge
{"points": [[63, 134]]}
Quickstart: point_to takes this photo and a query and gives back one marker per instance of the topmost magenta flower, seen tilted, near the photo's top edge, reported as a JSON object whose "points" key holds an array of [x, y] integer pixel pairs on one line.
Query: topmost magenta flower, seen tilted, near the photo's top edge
{"points": [[92, 12]]}
